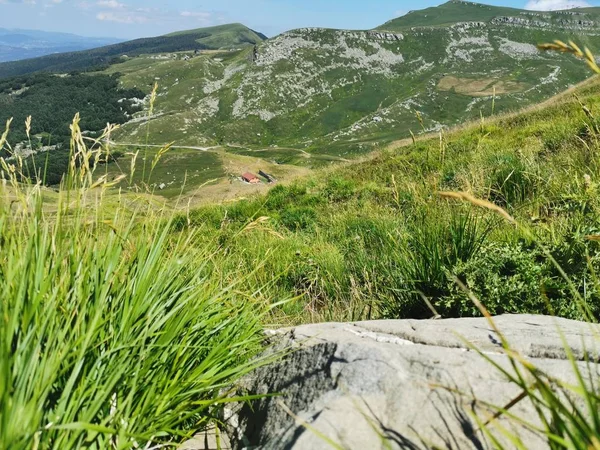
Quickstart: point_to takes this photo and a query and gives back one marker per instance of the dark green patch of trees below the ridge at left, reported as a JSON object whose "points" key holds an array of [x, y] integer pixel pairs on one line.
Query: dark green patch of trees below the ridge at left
{"points": [[53, 101]]}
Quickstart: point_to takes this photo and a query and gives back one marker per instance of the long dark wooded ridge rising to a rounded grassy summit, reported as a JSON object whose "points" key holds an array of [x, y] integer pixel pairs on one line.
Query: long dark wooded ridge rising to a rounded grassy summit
{"points": [[219, 37]]}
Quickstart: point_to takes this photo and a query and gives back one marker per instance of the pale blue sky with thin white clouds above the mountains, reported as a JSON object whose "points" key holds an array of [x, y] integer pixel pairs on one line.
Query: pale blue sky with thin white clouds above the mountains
{"points": [[138, 18]]}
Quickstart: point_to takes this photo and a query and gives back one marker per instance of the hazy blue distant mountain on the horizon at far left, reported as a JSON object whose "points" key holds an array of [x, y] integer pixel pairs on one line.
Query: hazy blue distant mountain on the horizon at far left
{"points": [[17, 44]]}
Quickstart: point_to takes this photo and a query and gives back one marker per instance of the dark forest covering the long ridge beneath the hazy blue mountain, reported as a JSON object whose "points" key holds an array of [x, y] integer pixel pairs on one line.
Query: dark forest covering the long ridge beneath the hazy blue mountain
{"points": [[100, 58]]}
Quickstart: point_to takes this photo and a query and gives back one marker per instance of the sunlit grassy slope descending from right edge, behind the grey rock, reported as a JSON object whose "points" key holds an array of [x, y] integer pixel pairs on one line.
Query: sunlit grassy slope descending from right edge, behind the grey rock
{"points": [[361, 241]]}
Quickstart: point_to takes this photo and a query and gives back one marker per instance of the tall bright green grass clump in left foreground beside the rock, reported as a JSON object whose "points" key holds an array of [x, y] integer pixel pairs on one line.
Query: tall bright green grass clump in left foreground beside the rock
{"points": [[115, 332]]}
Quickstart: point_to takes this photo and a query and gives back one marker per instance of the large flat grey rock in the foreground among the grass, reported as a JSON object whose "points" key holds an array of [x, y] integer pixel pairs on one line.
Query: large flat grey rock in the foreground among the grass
{"points": [[354, 383]]}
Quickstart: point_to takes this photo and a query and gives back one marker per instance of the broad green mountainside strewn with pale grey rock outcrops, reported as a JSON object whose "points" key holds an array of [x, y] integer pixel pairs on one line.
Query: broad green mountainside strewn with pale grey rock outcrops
{"points": [[339, 92]]}
